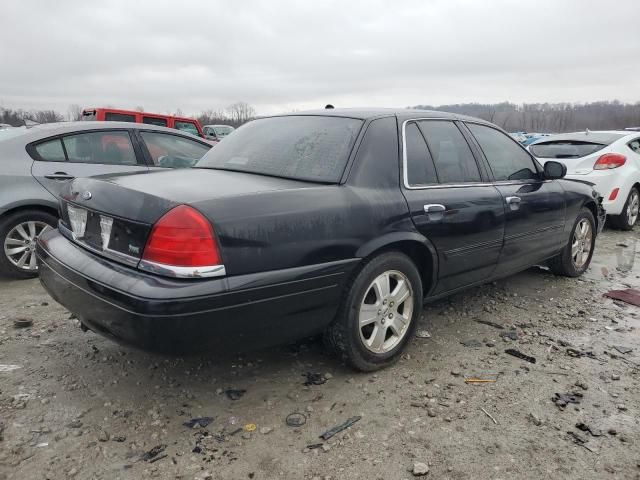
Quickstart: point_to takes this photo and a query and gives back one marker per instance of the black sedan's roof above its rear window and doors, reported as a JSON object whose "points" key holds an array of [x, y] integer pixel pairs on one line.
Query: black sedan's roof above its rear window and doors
{"points": [[370, 113]]}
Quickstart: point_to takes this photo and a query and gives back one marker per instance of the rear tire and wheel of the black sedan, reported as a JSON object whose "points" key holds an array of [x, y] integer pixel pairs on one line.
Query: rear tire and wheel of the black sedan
{"points": [[374, 322]]}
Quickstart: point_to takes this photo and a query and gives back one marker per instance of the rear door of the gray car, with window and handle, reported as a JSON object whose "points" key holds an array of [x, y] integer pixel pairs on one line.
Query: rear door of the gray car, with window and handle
{"points": [[83, 154]]}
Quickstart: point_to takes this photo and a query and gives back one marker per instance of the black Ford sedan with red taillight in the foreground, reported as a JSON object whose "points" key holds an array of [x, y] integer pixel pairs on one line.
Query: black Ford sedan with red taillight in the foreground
{"points": [[334, 221]]}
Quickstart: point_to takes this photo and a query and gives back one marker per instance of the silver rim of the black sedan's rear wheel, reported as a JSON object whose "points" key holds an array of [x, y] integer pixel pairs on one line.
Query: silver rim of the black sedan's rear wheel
{"points": [[385, 312]]}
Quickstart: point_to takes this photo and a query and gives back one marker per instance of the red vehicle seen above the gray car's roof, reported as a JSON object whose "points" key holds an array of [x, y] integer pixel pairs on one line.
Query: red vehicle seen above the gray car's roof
{"points": [[189, 125]]}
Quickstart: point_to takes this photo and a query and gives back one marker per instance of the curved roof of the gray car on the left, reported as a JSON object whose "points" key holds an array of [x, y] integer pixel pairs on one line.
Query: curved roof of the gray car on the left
{"points": [[45, 130]]}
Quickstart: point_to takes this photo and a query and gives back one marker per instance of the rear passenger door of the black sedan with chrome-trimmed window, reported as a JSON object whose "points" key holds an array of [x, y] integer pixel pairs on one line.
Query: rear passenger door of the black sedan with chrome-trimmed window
{"points": [[452, 203]]}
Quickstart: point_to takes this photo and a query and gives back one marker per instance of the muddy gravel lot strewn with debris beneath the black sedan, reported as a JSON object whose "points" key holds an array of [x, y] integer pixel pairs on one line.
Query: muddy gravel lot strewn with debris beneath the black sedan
{"points": [[78, 405]]}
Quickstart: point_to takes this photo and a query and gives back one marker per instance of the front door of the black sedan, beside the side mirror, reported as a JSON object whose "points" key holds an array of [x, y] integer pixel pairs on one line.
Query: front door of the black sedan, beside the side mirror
{"points": [[534, 207]]}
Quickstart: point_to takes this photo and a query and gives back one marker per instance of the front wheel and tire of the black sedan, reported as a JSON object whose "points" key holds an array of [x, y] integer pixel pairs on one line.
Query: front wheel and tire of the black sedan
{"points": [[575, 257]]}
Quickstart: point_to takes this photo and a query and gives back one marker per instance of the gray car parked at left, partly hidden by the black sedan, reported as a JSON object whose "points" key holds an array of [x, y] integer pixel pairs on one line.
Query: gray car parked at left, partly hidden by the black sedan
{"points": [[35, 164]]}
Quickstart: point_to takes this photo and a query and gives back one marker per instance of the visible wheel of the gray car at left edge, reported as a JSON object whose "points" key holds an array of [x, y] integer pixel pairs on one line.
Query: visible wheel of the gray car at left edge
{"points": [[33, 222]]}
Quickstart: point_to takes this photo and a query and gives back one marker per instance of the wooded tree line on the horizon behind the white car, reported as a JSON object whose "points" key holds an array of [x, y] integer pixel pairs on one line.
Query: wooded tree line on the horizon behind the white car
{"points": [[550, 117]]}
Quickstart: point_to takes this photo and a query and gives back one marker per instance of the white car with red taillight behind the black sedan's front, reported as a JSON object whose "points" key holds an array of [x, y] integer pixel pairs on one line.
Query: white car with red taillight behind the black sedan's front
{"points": [[609, 159]]}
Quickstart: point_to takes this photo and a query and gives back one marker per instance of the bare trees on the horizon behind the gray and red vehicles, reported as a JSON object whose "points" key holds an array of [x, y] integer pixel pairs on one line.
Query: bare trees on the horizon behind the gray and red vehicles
{"points": [[235, 115]]}
